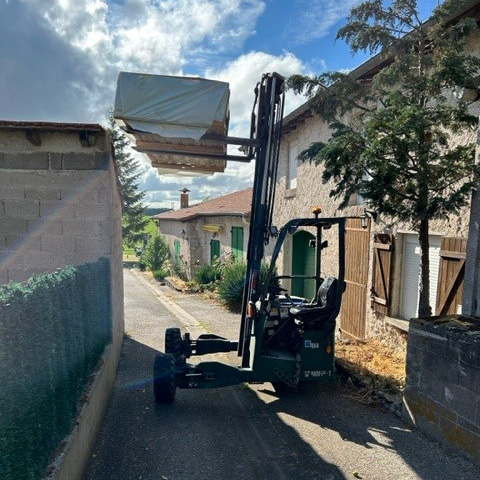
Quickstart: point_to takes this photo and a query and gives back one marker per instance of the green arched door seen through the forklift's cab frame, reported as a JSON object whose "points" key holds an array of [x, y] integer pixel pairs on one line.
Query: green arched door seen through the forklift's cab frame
{"points": [[303, 263]]}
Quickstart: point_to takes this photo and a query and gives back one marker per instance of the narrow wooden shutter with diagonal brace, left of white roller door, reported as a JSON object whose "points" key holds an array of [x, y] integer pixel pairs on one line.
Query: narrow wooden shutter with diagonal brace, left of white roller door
{"points": [[382, 273]]}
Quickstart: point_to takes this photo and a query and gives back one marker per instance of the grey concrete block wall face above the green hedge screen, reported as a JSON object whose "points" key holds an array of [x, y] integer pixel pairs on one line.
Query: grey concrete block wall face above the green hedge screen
{"points": [[56, 207]]}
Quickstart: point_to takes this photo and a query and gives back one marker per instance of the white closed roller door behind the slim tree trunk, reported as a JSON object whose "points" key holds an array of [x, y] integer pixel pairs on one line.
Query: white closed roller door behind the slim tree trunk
{"points": [[411, 274]]}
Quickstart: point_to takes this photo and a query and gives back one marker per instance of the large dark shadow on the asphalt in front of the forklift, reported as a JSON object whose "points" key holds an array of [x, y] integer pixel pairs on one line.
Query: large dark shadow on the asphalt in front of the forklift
{"points": [[210, 434]]}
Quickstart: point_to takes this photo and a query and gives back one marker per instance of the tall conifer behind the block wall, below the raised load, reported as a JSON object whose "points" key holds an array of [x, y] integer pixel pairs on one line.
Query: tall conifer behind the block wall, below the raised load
{"points": [[133, 220]]}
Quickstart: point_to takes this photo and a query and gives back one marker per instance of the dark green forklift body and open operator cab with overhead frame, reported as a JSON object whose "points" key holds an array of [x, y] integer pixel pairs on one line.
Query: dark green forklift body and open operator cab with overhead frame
{"points": [[297, 328]]}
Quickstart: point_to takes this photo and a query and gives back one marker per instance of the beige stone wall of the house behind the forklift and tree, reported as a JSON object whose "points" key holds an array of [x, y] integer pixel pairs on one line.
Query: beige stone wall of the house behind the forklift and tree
{"points": [[311, 191]]}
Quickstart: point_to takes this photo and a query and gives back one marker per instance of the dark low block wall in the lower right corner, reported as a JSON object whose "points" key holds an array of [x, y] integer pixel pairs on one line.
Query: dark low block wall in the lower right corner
{"points": [[442, 395]]}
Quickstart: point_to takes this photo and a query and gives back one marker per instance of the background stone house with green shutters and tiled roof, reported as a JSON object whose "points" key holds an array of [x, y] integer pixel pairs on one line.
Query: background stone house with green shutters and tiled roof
{"points": [[200, 233]]}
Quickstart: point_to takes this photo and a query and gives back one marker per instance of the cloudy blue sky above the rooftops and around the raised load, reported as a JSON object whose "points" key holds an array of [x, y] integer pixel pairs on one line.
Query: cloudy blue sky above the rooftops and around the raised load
{"points": [[59, 60]]}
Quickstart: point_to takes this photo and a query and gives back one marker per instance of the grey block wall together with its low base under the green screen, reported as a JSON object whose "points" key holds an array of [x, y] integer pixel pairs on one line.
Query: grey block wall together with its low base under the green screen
{"points": [[60, 205]]}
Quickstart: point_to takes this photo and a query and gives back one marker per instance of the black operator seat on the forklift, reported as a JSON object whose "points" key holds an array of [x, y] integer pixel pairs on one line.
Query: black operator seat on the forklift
{"points": [[316, 313]]}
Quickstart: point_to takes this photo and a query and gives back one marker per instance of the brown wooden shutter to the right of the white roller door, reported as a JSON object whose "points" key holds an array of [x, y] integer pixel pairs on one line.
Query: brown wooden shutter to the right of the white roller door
{"points": [[450, 278]]}
